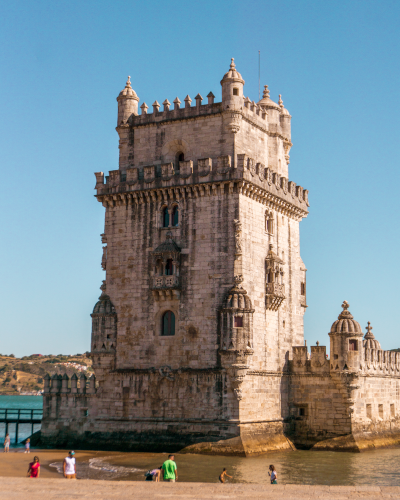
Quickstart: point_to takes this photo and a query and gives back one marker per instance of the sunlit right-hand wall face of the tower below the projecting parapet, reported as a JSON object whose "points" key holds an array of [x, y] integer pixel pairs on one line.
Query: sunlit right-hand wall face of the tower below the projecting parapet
{"points": [[274, 331]]}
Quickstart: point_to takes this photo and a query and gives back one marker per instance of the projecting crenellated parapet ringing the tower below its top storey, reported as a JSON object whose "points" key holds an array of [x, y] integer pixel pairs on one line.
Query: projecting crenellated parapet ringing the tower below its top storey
{"points": [[200, 177]]}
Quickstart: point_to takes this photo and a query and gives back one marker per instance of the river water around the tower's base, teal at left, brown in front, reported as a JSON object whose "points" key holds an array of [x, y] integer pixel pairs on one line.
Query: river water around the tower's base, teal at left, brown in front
{"points": [[376, 467]]}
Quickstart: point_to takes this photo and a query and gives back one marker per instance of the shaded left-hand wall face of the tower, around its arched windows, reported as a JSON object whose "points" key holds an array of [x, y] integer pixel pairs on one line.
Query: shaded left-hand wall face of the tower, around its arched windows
{"points": [[206, 273]]}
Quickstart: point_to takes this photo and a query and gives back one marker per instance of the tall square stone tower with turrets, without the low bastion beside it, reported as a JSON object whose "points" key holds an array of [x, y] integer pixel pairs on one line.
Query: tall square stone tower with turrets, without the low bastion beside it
{"points": [[205, 288]]}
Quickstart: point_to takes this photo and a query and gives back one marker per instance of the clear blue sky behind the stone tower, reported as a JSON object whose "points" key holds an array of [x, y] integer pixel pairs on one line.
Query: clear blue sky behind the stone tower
{"points": [[64, 63]]}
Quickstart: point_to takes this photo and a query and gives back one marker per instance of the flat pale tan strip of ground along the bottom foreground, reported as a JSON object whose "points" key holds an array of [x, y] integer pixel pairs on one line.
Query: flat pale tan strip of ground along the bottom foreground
{"points": [[16, 488]]}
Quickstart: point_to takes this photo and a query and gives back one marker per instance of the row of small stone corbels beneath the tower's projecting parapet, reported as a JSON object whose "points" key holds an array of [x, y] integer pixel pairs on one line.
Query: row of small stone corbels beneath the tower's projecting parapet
{"points": [[165, 195]]}
